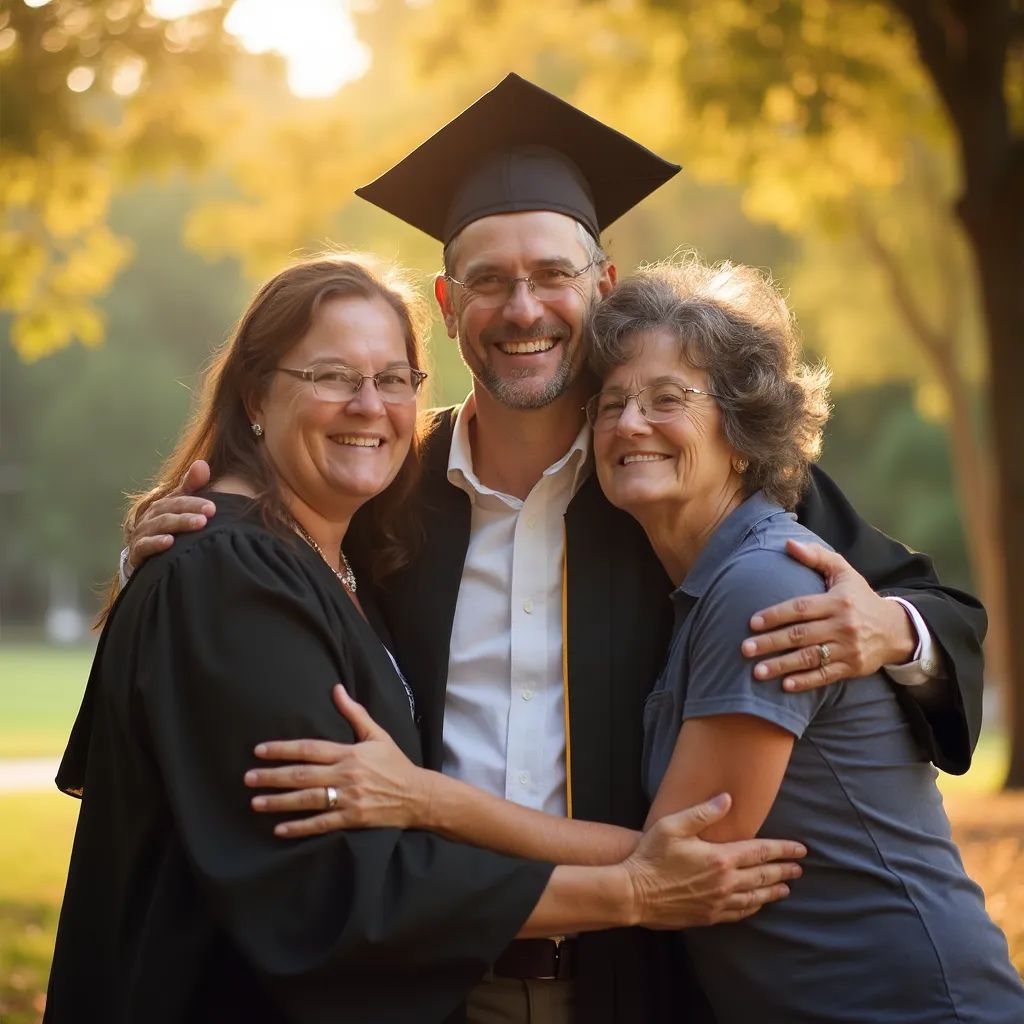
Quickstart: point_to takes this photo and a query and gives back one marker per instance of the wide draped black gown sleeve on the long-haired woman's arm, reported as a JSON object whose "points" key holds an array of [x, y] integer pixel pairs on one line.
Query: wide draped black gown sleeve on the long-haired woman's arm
{"points": [[239, 642]]}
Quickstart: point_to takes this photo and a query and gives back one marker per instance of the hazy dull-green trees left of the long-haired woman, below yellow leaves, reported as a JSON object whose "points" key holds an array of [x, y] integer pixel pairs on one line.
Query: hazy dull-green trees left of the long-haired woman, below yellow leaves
{"points": [[83, 428]]}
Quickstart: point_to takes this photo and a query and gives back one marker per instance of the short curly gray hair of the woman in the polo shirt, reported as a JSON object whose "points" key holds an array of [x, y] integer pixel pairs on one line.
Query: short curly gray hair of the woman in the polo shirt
{"points": [[733, 323]]}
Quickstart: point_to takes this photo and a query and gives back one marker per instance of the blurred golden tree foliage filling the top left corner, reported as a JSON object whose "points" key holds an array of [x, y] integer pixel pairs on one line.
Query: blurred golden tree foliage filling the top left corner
{"points": [[95, 96]]}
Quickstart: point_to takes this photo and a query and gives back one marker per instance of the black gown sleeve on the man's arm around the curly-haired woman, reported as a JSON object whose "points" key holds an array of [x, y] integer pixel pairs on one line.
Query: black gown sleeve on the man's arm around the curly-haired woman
{"points": [[950, 722]]}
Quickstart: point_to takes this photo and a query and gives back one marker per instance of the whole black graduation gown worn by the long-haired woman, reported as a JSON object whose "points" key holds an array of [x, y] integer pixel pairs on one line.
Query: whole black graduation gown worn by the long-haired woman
{"points": [[182, 906]]}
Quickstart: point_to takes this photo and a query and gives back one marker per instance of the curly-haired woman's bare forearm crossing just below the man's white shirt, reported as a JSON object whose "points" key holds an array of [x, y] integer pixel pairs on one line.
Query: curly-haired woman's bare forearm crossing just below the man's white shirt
{"points": [[467, 815]]}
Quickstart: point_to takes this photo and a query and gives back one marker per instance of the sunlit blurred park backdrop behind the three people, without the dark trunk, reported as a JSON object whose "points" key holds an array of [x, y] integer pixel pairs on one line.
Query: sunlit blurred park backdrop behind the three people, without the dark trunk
{"points": [[158, 159]]}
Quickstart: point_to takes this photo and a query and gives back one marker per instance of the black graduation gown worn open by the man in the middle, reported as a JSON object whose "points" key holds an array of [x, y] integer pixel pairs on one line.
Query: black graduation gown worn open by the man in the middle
{"points": [[618, 625]]}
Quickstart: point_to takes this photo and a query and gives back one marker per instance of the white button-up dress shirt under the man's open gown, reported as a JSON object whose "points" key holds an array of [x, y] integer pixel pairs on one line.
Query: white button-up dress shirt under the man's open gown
{"points": [[505, 709]]}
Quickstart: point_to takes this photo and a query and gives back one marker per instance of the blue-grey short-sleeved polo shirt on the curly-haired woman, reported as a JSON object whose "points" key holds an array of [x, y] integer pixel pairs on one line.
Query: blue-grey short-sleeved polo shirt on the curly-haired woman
{"points": [[884, 925]]}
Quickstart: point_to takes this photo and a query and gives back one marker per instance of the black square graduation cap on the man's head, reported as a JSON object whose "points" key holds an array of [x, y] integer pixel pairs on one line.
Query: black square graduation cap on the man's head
{"points": [[519, 148]]}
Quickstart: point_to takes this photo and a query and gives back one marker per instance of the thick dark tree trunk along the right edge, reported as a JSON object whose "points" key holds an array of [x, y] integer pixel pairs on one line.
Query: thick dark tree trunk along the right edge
{"points": [[965, 46]]}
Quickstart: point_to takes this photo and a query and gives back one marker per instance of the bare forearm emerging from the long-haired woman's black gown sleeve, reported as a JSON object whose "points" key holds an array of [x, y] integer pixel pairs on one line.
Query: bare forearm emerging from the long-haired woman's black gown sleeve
{"points": [[583, 900]]}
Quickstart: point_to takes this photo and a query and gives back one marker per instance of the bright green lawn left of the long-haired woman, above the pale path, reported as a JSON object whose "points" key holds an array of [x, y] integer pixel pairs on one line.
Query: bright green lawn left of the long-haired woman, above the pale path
{"points": [[41, 689]]}
